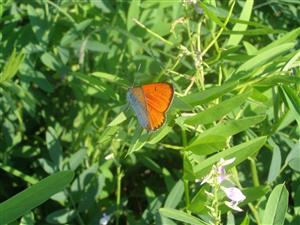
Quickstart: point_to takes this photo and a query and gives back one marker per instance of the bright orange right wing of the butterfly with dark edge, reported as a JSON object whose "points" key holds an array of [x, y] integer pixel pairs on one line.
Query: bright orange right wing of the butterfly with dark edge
{"points": [[158, 97]]}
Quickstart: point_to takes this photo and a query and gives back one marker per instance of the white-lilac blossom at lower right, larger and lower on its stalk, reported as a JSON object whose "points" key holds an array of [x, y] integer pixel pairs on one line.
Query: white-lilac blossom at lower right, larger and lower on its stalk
{"points": [[235, 195]]}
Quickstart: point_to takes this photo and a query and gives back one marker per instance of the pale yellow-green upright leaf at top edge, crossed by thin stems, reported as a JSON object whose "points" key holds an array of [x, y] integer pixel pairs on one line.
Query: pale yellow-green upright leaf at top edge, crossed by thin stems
{"points": [[245, 15]]}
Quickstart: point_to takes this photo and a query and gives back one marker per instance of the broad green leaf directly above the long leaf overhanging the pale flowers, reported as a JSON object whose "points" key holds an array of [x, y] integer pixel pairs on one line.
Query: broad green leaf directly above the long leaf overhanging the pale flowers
{"points": [[222, 131]]}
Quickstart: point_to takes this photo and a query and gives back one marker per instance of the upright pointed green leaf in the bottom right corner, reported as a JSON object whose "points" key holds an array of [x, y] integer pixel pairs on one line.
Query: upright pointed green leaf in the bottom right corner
{"points": [[276, 207]]}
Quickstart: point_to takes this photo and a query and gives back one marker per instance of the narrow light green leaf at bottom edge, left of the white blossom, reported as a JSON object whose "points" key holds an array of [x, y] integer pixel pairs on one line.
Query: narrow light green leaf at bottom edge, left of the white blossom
{"points": [[181, 216]]}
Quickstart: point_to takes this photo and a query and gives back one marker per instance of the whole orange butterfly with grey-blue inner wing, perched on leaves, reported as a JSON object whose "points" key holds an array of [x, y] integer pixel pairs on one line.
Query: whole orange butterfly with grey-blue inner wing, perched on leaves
{"points": [[150, 102]]}
